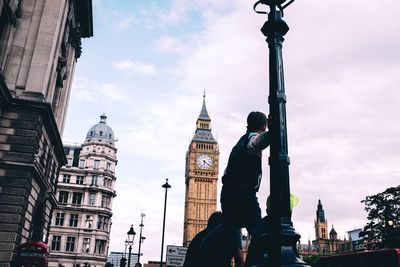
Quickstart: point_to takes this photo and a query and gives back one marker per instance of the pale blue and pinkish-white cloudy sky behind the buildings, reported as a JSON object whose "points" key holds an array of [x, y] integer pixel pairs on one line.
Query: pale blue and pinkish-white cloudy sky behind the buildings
{"points": [[147, 66]]}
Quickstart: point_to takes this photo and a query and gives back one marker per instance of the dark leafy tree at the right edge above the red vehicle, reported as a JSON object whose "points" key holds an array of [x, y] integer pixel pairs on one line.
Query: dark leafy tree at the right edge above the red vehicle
{"points": [[383, 227]]}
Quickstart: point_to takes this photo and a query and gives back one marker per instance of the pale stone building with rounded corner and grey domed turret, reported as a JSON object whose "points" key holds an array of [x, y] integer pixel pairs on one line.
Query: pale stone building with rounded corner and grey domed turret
{"points": [[80, 227]]}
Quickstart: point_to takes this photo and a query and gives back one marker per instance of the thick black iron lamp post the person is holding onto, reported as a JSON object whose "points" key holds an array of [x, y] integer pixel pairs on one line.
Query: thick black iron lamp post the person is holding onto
{"points": [[282, 238]]}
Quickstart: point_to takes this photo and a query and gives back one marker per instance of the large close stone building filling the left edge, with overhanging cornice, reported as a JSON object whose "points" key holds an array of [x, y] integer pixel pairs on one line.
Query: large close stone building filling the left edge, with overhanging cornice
{"points": [[40, 42]]}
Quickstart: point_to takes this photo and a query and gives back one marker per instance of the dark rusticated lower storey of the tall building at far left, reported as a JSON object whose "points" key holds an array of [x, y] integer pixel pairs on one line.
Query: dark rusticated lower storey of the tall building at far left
{"points": [[30, 156]]}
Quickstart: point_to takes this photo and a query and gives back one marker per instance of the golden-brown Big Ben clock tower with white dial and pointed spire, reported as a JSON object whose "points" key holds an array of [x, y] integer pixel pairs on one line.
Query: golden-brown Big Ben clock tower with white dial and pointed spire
{"points": [[201, 177]]}
